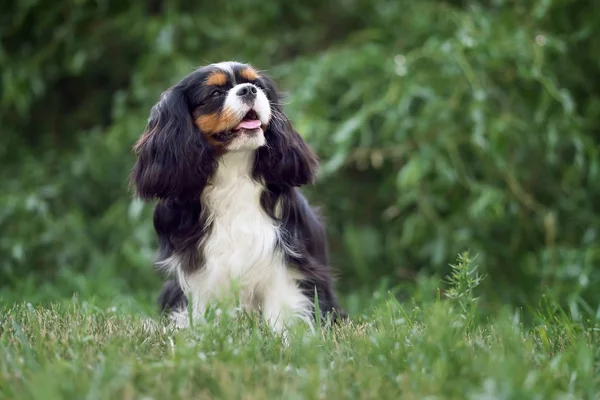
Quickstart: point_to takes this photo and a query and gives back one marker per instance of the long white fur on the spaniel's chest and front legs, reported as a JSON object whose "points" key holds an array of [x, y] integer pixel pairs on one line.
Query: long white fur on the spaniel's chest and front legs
{"points": [[240, 249]]}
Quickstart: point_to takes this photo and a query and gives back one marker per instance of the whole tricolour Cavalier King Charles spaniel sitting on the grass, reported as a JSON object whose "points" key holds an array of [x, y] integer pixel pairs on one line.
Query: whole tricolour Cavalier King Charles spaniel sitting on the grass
{"points": [[224, 163]]}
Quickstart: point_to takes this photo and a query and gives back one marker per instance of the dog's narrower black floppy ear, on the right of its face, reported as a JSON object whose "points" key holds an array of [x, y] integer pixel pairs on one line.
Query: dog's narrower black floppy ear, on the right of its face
{"points": [[286, 160]]}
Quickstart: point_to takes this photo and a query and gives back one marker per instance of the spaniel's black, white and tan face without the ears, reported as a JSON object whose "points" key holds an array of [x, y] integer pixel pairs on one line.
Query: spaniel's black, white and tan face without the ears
{"points": [[230, 106]]}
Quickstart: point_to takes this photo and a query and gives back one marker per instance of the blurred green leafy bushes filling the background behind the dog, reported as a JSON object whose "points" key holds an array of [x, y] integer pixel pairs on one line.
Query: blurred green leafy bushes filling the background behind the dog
{"points": [[442, 126]]}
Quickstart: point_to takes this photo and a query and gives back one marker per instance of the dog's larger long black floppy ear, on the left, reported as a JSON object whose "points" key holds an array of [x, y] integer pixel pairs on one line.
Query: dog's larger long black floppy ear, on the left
{"points": [[173, 158]]}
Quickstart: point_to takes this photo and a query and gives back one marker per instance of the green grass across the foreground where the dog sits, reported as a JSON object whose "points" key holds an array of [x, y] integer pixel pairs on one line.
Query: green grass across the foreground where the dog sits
{"points": [[443, 348]]}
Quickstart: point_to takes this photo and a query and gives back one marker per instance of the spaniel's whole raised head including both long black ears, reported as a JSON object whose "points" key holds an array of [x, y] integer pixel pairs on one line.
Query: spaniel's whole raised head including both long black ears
{"points": [[216, 109]]}
